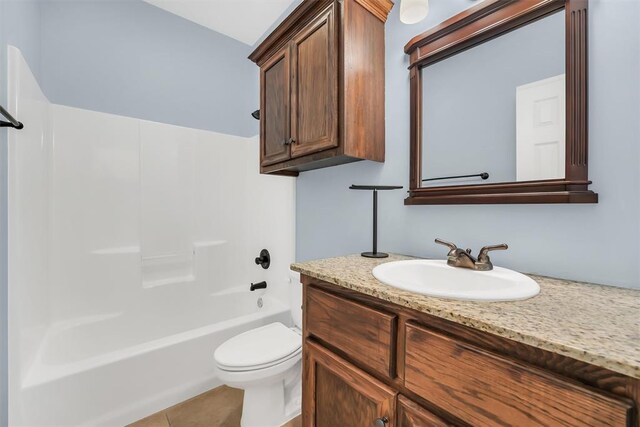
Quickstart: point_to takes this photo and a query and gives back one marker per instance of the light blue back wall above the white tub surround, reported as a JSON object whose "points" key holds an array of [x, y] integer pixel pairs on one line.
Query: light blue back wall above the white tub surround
{"points": [[134, 59]]}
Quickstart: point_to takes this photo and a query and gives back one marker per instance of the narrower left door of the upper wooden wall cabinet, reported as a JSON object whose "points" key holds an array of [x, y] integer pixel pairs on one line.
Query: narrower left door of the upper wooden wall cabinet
{"points": [[274, 109]]}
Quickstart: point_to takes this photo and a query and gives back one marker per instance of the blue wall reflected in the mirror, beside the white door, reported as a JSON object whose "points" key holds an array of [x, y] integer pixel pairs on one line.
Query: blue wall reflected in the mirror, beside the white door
{"points": [[478, 87]]}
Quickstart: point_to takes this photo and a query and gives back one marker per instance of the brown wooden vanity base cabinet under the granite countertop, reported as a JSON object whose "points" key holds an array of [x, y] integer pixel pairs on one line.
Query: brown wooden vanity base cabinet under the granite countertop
{"points": [[368, 362]]}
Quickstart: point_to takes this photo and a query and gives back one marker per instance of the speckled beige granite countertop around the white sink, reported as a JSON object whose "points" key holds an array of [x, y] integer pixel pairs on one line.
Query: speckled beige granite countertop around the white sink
{"points": [[596, 324]]}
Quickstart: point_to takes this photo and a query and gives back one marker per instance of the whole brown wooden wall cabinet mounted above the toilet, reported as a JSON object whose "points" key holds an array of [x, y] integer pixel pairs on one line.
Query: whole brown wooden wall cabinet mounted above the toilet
{"points": [[322, 86]]}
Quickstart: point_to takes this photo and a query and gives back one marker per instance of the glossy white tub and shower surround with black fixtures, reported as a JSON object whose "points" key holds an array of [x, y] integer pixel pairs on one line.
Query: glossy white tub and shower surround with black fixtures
{"points": [[93, 195]]}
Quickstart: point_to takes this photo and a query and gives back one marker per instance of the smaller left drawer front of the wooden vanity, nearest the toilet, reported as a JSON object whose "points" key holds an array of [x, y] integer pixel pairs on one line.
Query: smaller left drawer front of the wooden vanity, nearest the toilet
{"points": [[363, 334]]}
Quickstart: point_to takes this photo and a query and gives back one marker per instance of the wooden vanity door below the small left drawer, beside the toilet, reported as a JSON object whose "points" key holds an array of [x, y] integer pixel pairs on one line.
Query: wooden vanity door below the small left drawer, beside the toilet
{"points": [[337, 393]]}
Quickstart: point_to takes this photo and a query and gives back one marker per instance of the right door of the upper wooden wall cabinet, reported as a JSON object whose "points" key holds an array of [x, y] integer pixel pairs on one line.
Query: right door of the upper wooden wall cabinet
{"points": [[315, 87]]}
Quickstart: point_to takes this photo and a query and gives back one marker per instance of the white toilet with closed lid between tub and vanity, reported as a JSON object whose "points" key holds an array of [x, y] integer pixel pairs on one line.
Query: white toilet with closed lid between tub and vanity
{"points": [[266, 362]]}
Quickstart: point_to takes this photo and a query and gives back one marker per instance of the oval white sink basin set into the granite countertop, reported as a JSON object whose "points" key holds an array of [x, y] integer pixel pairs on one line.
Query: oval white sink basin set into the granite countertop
{"points": [[436, 278]]}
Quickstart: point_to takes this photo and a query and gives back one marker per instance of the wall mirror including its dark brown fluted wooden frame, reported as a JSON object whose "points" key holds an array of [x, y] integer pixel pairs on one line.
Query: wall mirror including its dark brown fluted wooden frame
{"points": [[499, 105]]}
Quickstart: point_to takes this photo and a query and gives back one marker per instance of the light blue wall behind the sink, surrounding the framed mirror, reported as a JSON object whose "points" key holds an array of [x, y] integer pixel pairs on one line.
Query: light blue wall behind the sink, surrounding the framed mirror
{"points": [[597, 243]]}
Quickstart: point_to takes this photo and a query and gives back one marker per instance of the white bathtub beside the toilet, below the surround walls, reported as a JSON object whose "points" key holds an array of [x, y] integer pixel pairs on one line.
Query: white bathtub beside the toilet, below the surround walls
{"points": [[77, 374]]}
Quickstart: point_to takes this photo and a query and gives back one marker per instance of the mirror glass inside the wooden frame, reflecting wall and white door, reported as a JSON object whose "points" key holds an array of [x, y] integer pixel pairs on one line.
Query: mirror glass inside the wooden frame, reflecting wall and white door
{"points": [[497, 109]]}
